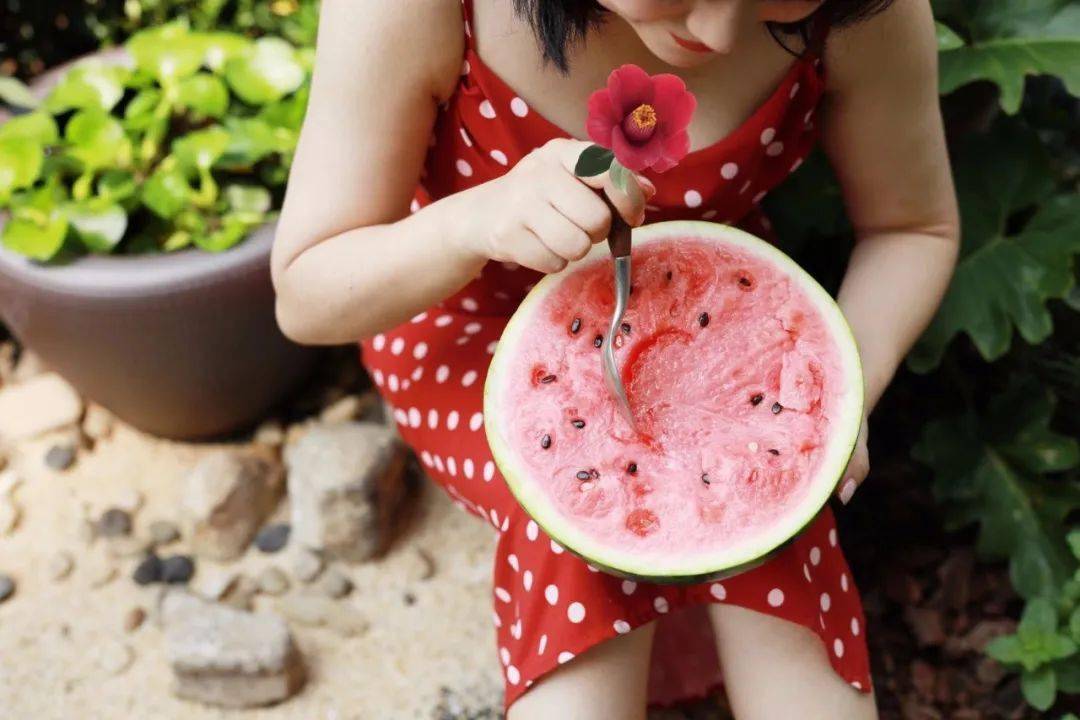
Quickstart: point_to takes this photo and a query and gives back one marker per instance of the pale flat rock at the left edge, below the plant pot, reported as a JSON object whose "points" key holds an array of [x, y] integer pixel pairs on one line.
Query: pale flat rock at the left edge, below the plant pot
{"points": [[36, 406]]}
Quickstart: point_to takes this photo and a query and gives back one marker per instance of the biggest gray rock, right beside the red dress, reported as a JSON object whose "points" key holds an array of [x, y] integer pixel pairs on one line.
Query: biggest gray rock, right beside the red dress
{"points": [[345, 483]]}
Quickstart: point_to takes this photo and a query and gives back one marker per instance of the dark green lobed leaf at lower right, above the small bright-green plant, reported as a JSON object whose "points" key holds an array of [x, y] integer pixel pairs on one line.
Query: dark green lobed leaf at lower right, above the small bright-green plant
{"points": [[982, 478]]}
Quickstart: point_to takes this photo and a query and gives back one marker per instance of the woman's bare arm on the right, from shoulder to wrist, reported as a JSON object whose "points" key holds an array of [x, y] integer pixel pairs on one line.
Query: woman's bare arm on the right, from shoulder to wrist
{"points": [[883, 132]]}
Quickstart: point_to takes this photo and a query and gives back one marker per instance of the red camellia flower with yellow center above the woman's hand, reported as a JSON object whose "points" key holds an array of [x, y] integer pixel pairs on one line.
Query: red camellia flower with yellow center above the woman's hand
{"points": [[642, 119]]}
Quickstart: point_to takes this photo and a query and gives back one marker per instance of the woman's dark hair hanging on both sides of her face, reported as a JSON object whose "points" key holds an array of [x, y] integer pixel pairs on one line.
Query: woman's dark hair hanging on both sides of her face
{"points": [[560, 24]]}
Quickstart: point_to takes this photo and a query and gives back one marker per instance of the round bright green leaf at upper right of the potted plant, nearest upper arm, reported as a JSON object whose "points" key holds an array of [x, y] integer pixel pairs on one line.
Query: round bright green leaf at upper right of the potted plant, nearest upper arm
{"points": [[265, 73]]}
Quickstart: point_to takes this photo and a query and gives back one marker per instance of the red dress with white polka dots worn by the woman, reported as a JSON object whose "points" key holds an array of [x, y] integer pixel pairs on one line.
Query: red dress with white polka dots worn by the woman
{"points": [[550, 606]]}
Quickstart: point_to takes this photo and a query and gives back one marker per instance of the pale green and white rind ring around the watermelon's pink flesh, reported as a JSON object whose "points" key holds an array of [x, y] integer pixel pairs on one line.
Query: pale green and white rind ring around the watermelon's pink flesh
{"points": [[715, 565]]}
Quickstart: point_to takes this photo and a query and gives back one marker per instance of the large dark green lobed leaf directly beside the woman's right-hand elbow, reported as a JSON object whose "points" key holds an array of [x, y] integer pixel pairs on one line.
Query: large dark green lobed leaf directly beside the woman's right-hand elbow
{"points": [[1004, 279]]}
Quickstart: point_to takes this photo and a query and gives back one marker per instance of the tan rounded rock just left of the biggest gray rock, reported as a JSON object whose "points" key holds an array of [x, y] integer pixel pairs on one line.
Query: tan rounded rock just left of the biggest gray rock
{"points": [[227, 497]]}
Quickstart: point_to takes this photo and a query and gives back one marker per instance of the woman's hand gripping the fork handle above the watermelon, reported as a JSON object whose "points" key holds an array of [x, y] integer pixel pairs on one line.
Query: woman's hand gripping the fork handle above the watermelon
{"points": [[541, 214]]}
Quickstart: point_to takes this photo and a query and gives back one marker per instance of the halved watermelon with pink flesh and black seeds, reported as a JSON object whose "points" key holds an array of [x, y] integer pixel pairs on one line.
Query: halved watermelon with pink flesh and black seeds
{"points": [[747, 389]]}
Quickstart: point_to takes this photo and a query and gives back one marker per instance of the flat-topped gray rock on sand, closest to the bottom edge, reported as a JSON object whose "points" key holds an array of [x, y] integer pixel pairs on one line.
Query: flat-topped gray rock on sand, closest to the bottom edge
{"points": [[229, 658]]}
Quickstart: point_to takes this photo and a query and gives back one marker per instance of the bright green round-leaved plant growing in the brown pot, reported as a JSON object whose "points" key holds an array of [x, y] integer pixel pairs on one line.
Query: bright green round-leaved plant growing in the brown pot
{"points": [[190, 144]]}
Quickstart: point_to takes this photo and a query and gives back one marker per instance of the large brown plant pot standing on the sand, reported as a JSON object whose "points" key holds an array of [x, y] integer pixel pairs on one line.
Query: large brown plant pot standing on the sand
{"points": [[182, 345]]}
